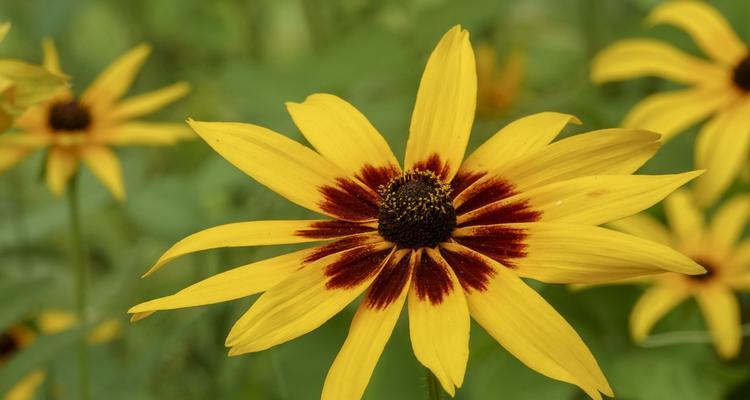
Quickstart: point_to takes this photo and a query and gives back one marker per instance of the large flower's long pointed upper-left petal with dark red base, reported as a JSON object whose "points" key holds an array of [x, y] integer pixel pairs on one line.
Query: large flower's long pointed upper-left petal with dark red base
{"points": [[306, 178]]}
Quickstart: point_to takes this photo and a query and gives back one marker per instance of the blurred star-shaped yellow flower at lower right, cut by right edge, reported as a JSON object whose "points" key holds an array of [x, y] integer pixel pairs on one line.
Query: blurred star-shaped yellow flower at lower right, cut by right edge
{"points": [[716, 248]]}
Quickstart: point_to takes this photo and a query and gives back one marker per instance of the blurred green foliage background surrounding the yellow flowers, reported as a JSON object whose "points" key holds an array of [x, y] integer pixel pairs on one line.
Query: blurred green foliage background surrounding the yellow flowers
{"points": [[244, 59]]}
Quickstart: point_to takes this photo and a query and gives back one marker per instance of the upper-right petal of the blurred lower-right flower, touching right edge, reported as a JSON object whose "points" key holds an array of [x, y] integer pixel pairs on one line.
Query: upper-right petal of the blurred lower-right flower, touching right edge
{"points": [[730, 221]]}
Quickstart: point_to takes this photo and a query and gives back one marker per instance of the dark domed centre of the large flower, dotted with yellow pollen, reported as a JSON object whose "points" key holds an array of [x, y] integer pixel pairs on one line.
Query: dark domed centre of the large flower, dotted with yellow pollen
{"points": [[416, 210]]}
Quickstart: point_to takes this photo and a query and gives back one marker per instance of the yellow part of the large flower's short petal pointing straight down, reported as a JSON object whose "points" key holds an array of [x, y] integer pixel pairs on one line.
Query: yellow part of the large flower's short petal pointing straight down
{"points": [[440, 332]]}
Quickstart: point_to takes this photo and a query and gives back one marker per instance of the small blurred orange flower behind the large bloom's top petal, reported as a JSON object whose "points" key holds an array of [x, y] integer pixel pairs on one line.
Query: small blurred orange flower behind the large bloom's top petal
{"points": [[497, 87]]}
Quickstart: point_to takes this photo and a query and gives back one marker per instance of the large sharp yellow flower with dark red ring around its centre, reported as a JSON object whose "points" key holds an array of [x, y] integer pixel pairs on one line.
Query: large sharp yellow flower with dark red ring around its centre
{"points": [[450, 236]]}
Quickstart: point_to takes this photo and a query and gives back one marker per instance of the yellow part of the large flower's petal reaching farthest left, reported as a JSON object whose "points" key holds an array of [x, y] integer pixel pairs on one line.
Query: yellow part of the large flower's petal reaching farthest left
{"points": [[233, 284]]}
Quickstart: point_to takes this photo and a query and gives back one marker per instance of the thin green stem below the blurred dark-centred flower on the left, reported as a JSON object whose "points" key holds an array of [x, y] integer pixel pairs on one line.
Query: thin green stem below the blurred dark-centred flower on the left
{"points": [[80, 262]]}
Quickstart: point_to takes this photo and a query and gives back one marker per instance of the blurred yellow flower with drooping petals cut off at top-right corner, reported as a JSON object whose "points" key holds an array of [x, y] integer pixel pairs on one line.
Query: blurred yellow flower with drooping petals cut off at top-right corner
{"points": [[719, 89]]}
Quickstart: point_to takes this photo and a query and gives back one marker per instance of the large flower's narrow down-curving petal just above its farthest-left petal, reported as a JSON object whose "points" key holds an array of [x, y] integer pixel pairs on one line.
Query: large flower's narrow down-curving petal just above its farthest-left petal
{"points": [[240, 234]]}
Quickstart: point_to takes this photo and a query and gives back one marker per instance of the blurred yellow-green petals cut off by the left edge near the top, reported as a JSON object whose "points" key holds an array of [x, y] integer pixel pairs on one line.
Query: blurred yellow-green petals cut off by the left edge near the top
{"points": [[23, 85]]}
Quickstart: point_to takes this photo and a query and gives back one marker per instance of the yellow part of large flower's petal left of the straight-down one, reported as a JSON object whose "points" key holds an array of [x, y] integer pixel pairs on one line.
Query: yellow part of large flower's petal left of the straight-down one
{"points": [[368, 334]]}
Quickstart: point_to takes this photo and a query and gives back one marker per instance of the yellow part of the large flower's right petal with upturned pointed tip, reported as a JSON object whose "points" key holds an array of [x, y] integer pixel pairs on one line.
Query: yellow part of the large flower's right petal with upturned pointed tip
{"points": [[592, 200]]}
